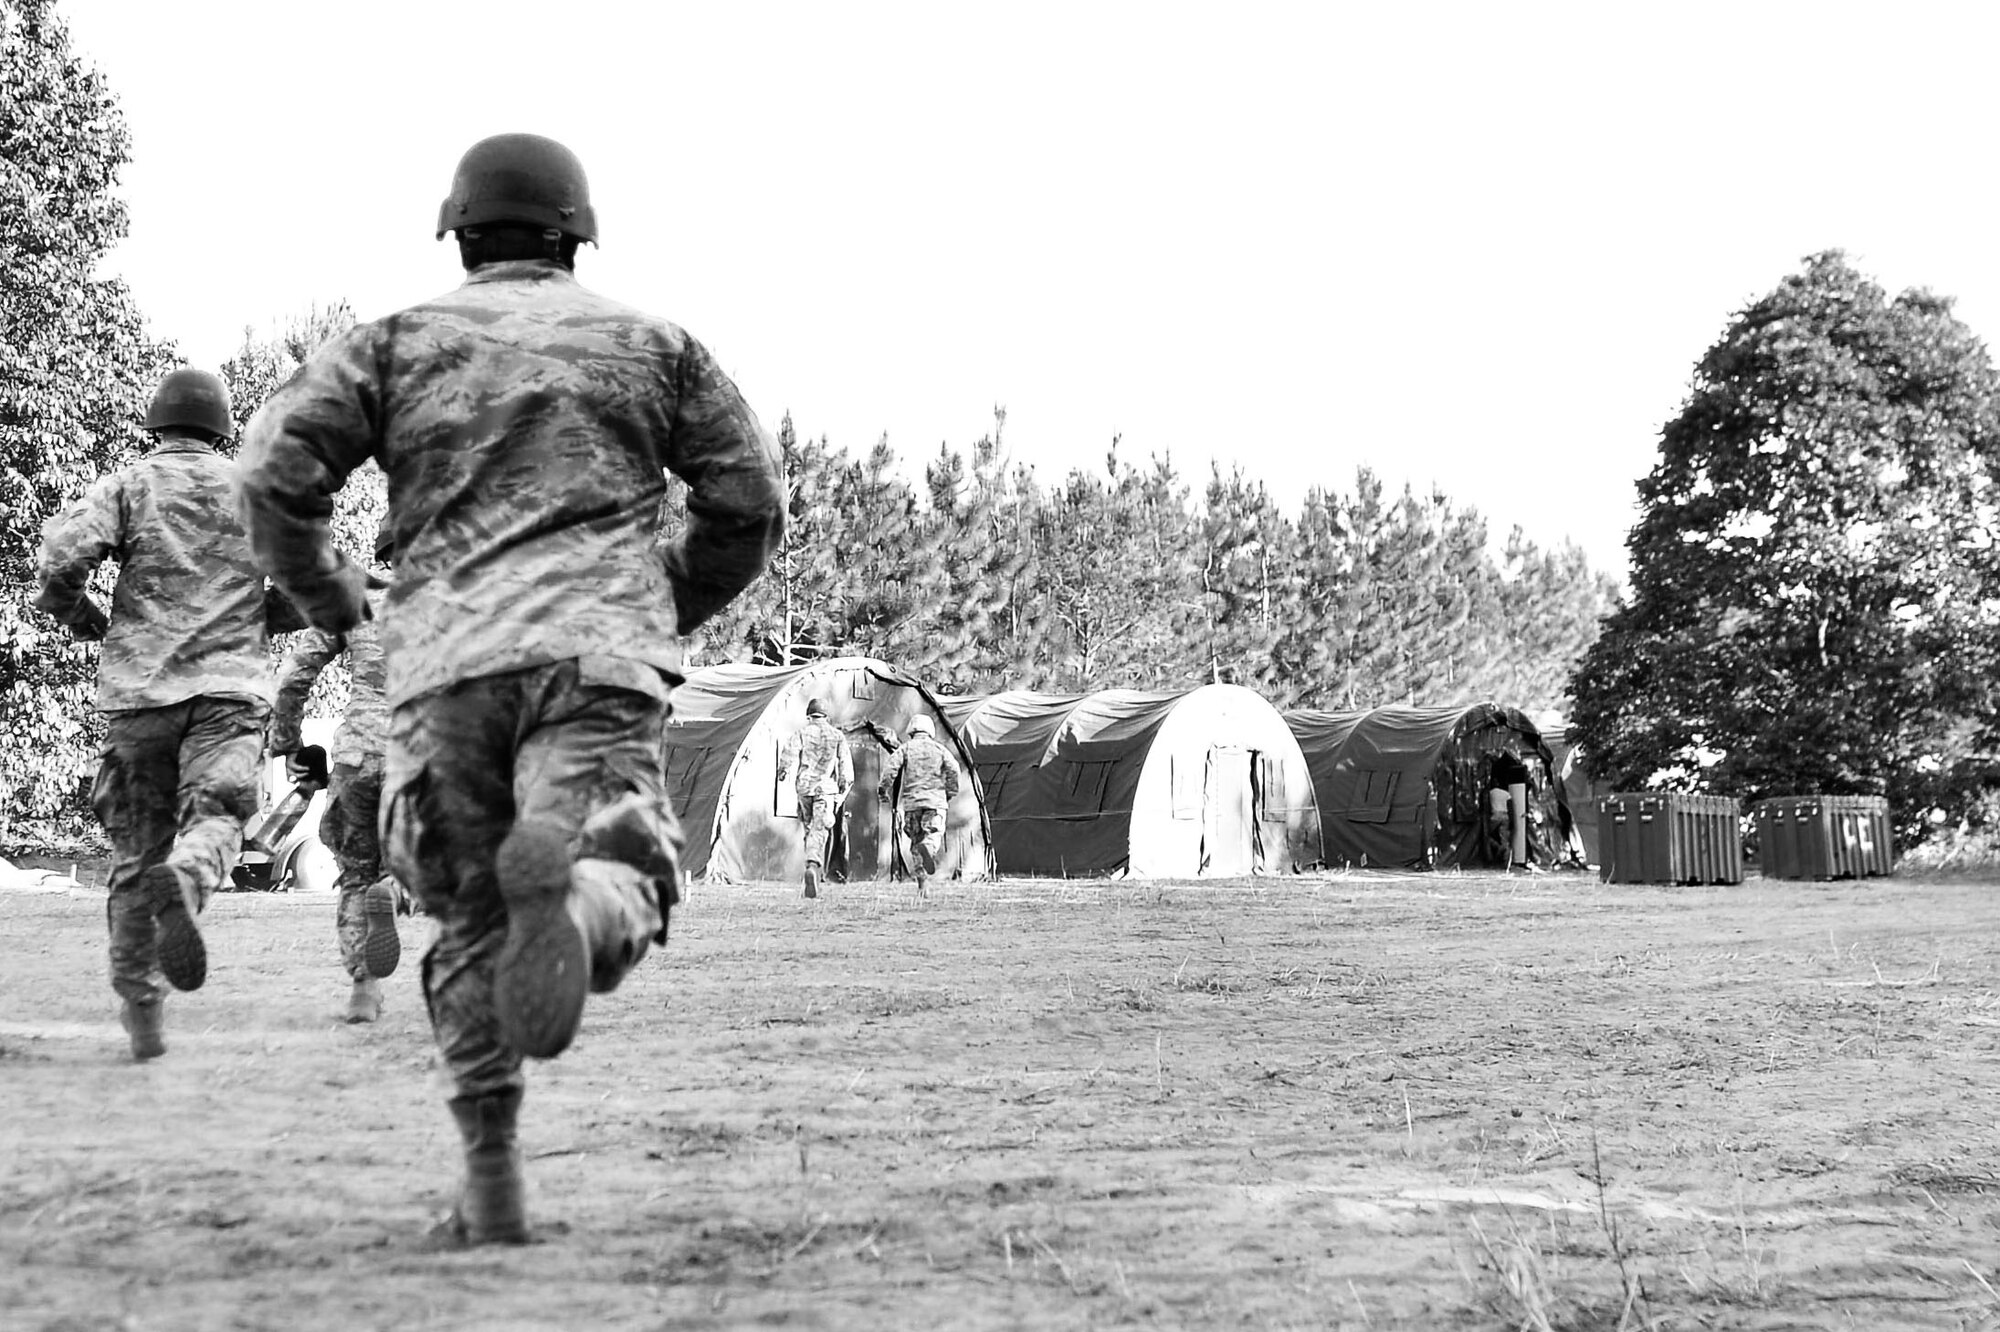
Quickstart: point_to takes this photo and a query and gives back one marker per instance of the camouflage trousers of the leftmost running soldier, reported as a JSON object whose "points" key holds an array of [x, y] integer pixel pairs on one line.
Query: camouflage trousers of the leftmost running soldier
{"points": [[175, 787]]}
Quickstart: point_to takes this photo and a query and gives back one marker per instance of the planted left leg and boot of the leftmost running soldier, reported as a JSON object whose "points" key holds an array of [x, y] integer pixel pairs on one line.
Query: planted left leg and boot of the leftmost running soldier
{"points": [[135, 799]]}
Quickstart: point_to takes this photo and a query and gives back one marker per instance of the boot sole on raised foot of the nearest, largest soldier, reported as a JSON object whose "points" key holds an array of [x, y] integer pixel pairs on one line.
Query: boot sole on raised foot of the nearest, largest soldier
{"points": [[543, 975]]}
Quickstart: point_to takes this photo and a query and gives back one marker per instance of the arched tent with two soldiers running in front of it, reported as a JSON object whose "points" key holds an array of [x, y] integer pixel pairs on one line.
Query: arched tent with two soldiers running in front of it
{"points": [[741, 821]]}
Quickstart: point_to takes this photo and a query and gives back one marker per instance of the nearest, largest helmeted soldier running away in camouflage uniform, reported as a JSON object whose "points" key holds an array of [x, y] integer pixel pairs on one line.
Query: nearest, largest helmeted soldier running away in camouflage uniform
{"points": [[533, 633]]}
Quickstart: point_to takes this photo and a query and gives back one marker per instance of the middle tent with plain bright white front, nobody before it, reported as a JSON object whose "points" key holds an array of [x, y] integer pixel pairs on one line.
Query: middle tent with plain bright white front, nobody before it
{"points": [[1157, 785]]}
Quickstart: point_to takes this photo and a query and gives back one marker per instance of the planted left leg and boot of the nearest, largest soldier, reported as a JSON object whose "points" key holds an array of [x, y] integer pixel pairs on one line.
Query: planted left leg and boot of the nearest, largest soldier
{"points": [[449, 801]]}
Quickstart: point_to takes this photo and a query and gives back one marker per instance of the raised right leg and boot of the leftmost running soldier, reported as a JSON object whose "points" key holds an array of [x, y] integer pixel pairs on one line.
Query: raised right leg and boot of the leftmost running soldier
{"points": [[219, 779]]}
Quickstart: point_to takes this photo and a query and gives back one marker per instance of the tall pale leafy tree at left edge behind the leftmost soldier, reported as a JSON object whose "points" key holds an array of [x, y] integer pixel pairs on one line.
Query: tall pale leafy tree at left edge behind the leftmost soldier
{"points": [[77, 371]]}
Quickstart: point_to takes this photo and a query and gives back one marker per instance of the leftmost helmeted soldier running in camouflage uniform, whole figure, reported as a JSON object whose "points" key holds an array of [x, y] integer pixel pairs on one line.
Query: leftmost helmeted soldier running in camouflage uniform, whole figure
{"points": [[183, 683]]}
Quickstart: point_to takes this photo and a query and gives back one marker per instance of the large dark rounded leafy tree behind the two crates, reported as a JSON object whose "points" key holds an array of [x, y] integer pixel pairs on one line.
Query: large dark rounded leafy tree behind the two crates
{"points": [[1815, 599]]}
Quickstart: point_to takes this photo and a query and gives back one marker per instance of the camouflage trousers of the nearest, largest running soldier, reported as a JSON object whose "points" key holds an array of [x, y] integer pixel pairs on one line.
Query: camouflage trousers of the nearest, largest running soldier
{"points": [[555, 745]]}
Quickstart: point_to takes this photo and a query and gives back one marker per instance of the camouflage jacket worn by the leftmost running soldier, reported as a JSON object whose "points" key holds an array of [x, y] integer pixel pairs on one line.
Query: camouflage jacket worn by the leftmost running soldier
{"points": [[189, 611]]}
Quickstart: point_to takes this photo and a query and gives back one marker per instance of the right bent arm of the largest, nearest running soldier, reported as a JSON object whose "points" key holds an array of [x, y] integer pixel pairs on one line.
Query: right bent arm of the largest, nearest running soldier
{"points": [[735, 493]]}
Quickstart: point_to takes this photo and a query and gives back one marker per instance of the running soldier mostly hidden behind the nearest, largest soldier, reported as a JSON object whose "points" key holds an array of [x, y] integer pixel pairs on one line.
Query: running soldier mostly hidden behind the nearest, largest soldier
{"points": [[365, 913]]}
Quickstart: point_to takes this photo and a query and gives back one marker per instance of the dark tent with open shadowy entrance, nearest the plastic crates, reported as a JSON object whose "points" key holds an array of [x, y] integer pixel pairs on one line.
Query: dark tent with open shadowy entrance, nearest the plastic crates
{"points": [[1407, 787]]}
